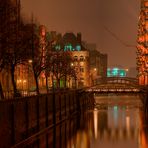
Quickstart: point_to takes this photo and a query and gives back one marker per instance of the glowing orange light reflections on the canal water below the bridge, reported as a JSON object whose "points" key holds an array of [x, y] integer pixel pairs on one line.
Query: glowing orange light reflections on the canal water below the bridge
{"points": [[116, 122]]}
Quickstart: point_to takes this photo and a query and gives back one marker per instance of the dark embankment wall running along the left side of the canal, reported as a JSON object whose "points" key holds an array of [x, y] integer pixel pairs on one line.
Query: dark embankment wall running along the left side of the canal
{"points": [[22, 120]]}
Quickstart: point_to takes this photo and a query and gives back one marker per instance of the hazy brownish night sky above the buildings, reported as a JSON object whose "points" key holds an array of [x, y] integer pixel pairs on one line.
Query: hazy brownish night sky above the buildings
{"points": [[120, 18]]}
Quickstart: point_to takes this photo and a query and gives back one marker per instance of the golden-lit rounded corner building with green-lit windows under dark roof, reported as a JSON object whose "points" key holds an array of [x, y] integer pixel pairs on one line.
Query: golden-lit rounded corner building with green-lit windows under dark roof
{"points": [[71, 42]]}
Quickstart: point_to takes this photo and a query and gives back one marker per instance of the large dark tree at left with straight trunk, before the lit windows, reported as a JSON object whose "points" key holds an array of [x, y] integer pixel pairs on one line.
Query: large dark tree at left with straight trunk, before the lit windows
{"points": [[16, 53]]}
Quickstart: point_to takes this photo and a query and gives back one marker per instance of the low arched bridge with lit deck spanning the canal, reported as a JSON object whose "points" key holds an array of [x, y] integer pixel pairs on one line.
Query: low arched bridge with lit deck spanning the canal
{"points": [[116, 84]]}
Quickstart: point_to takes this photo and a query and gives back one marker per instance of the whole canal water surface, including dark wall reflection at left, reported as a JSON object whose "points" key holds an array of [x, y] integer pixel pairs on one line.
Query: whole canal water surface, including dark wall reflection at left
{"points": [[117, 121]]}
